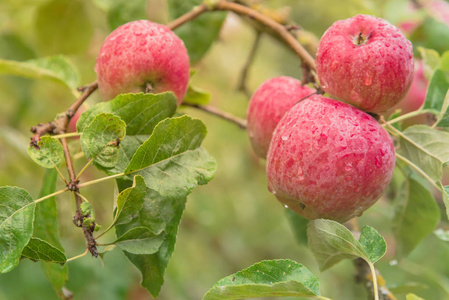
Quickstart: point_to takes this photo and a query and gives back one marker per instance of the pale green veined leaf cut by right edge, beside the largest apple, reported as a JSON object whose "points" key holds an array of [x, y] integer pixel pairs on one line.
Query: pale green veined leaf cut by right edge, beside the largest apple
{"points": [[427, 148]]}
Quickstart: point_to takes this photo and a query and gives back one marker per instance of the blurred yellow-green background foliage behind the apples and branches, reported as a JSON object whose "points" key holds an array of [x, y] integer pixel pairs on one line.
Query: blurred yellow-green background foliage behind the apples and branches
{"points": [[232, 222]]}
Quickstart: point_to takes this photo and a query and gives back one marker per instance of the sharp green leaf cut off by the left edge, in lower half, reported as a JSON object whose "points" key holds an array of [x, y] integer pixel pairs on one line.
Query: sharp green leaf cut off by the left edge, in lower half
{"points": [[16, 225]]}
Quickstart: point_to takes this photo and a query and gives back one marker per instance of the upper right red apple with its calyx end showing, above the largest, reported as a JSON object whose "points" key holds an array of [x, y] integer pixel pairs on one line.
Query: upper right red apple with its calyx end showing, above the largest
{"points": [[365, 61]]}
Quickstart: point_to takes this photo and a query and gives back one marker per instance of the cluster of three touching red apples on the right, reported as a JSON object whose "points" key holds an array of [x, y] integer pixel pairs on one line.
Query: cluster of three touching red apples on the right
{"points": [[329, 158]]}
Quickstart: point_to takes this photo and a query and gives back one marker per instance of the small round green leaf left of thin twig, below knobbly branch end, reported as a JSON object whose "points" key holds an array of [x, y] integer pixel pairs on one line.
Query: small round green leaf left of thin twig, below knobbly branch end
{"points": [[48, 153]]}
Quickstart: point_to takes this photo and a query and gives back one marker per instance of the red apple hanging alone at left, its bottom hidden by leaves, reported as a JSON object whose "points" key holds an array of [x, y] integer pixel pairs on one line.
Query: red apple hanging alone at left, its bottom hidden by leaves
{"points": [[140, 53]]}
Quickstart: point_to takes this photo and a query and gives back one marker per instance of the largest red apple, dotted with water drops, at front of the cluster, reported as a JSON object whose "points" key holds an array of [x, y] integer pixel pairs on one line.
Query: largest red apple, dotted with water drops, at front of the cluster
{"points": [[328, 159]]}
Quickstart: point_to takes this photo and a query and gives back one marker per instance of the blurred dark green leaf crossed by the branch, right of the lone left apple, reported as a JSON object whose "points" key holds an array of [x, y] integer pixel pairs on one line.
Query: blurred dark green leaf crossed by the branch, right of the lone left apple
{"points": [[199, 34]]}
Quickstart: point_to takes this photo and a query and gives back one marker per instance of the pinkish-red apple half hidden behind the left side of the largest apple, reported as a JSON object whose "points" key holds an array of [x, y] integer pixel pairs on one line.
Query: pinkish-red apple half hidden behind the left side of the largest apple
{"points": [[269, 103]]}
